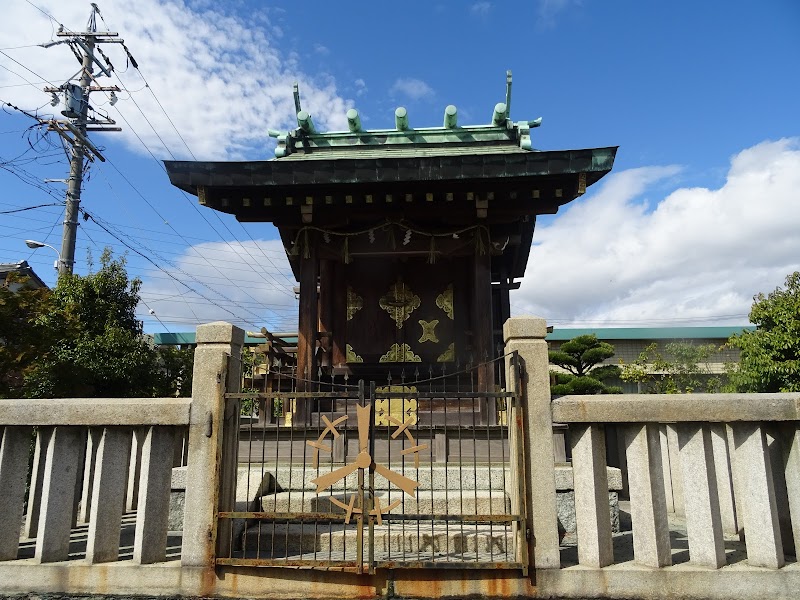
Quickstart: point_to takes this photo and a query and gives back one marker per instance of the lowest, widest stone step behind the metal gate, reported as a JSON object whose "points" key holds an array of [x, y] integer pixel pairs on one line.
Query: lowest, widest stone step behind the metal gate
{"points": [[457, 539]]}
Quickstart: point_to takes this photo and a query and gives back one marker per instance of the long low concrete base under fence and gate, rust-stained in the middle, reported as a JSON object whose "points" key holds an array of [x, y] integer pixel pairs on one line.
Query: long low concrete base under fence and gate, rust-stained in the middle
{"points": [[618, 581]]}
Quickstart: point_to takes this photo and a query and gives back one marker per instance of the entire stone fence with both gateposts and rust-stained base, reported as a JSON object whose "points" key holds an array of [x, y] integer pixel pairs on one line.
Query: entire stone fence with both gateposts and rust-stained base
{"points": [[106, 532]]}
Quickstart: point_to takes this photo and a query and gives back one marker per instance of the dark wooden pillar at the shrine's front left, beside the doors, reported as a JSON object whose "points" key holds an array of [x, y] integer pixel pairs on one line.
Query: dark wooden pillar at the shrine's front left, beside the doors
{"points": [[307, 328]]}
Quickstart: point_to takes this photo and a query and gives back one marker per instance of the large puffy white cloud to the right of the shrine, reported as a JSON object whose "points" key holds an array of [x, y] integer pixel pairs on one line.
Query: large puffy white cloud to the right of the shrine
{"points": [[698, 256]]}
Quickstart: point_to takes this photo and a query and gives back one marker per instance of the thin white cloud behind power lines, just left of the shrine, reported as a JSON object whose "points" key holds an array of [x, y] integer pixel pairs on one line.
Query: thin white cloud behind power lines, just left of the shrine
{"points": [[247, 283]]}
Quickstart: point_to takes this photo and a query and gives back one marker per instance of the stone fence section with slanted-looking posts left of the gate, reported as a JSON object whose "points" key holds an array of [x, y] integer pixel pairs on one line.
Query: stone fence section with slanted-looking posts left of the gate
{"points": [[99, 438]]}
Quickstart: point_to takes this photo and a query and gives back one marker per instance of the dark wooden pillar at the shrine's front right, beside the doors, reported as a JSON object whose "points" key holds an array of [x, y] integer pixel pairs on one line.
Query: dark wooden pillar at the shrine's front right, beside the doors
{"points": [[482, 330]]}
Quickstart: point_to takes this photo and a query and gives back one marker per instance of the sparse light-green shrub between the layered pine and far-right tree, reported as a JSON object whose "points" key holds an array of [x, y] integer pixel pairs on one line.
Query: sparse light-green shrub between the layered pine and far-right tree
{"points": [[682, 368]]}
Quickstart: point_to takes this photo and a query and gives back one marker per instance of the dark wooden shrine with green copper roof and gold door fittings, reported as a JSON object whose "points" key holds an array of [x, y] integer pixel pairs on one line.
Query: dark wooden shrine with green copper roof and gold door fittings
{"points": [[405, 241]]}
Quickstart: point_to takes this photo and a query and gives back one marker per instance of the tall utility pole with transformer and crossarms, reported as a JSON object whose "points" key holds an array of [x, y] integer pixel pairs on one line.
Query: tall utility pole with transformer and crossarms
{"points": [[79, 121]]}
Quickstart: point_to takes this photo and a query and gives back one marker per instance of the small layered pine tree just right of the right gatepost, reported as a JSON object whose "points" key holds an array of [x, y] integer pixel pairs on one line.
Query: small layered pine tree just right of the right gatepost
{"points": [[581, 357]]}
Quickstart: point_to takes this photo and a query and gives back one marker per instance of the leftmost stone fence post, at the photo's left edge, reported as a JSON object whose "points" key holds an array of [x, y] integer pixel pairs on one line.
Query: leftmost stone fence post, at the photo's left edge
{"points": [[13, 471]]}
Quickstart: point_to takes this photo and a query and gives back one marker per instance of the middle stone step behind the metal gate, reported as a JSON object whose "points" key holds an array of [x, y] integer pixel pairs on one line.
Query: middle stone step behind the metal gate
{"points": [[427, 503]]}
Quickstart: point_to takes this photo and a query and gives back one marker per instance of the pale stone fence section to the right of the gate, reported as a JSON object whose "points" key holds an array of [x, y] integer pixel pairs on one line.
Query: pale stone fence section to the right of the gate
{"points": [[729, 464]]}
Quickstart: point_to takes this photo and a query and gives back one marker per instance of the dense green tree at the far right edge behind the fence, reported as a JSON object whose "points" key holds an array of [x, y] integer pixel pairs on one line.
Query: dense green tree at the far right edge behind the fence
{"points": [[770, 355]]}
